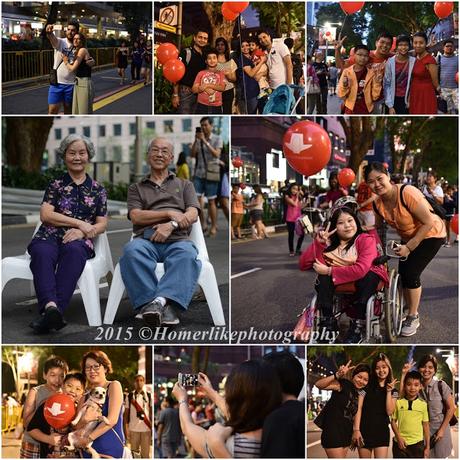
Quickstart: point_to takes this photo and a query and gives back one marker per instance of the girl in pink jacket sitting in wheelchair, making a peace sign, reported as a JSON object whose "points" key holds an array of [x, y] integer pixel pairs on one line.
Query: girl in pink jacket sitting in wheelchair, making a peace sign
{"points": [[340, 255]]}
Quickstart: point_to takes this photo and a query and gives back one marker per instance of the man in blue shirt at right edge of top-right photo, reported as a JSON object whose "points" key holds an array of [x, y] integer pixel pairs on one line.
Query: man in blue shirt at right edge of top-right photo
{"points": [[448, 68]]}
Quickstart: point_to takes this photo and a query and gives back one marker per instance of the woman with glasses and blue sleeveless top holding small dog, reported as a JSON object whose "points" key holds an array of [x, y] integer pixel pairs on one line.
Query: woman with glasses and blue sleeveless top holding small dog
{"points": [[107, 440]]}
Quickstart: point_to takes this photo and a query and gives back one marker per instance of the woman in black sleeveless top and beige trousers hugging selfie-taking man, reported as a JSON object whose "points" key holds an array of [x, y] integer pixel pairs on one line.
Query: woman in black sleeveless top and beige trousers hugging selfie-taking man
{"points": [[83, 92]]}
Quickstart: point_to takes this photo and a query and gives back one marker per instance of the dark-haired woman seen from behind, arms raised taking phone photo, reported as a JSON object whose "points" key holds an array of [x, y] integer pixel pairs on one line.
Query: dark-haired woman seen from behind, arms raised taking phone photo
{"points": [[252, 391]]}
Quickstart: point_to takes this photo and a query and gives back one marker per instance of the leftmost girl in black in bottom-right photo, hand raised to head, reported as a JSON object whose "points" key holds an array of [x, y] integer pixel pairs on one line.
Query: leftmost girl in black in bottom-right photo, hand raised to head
{"points": [[336, 419]]}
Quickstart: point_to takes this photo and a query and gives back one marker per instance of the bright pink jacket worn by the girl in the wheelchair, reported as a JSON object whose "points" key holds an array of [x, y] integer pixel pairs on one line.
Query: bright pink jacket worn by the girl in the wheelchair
{"points": [[366, 248]]}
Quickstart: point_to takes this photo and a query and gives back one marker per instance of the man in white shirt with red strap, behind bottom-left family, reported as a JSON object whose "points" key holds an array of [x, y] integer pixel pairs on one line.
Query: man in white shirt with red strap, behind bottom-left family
{"points": [[137, 418]]}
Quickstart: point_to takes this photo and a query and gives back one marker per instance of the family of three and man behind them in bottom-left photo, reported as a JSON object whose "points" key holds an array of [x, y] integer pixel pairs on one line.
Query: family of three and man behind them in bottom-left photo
{"points": [[126, 417]]}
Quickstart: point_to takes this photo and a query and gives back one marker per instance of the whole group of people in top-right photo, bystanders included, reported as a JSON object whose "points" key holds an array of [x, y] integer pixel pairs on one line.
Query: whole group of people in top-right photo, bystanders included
{"points": [[408, 79]]}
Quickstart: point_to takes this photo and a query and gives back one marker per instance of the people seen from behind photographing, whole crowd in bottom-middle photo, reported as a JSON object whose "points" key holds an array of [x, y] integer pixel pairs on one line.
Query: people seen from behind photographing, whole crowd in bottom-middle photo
{"points": [[258, 416]]}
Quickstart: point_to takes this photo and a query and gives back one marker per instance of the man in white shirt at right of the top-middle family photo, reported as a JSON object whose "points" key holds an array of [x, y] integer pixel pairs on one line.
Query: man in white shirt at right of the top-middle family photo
{"points": [[278, 60]]}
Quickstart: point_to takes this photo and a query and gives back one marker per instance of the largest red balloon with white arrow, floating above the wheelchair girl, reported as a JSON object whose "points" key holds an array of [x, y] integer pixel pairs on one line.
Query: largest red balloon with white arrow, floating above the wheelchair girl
{"points": [[307, 147]]}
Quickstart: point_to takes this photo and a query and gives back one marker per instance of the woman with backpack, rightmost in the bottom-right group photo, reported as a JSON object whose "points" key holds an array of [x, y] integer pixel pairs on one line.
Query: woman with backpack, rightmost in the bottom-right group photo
{"points": [[441, 405]]}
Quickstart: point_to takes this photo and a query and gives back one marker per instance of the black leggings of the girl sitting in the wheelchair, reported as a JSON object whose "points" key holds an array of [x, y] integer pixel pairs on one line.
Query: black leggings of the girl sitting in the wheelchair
{"points": [[365, 288]]}
